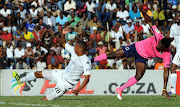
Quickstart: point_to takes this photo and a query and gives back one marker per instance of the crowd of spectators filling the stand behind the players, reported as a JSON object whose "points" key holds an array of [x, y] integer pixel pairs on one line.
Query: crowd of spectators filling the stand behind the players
{"points": [[30, 30]]}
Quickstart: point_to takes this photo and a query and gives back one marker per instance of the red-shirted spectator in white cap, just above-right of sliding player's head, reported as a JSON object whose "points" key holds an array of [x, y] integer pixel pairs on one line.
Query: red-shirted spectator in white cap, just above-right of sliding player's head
{"points": [[95, 36]]}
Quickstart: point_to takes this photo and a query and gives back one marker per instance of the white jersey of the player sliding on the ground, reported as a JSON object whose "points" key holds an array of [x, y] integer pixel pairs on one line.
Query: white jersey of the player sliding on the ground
{"points": [[77, 66]]}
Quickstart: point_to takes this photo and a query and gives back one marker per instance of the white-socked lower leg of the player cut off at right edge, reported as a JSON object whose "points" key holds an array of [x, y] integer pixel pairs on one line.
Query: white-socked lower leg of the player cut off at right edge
{"points": [[172, 93]]}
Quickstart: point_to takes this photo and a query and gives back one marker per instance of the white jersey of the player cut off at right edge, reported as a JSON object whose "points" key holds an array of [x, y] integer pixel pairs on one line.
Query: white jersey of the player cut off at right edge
{"points": [[175, 32]]}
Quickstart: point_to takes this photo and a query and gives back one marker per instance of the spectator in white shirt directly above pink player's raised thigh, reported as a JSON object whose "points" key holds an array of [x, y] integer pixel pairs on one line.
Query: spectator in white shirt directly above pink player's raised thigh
{"points": [[117, 37]]}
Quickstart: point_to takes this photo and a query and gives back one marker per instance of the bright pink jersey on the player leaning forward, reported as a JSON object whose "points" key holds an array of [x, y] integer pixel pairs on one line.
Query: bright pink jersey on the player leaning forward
{"points": [[147, 48]]}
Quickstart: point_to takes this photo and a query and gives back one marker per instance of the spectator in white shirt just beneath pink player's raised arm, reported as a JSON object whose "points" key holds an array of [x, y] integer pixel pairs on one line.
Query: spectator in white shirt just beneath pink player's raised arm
{"points": [[146, 28]]}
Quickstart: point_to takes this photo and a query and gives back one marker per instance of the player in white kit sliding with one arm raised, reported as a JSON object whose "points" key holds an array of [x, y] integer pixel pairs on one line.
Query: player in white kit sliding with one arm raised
{"points": [[67, 79]]}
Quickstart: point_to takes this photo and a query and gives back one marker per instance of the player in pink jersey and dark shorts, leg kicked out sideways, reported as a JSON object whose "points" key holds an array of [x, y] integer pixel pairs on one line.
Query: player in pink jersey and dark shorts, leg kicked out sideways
{"points": [[156, 46]]}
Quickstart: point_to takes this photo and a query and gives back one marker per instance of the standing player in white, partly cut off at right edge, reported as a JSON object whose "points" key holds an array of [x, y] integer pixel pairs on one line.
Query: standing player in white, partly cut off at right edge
{"points": [[175, 33]]}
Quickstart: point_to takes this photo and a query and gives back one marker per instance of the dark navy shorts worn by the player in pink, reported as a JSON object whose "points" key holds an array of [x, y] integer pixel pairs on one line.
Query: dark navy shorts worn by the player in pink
{"points": [[130, 51]]}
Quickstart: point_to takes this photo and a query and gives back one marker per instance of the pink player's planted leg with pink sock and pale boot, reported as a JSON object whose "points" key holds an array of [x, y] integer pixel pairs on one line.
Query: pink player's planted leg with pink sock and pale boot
{"points": [[140, 70]]}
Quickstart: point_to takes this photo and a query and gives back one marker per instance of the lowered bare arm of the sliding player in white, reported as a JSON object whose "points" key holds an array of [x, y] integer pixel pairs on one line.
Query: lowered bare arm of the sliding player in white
{"points": [[86, 80]]}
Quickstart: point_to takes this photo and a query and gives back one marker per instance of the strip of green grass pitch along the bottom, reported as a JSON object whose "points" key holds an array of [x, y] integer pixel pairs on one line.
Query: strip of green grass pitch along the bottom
{"points": [[91, 101]]}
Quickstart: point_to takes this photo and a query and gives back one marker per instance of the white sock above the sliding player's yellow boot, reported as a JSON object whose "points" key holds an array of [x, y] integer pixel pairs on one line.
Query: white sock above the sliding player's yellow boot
{"points": [[29, 77]]}
